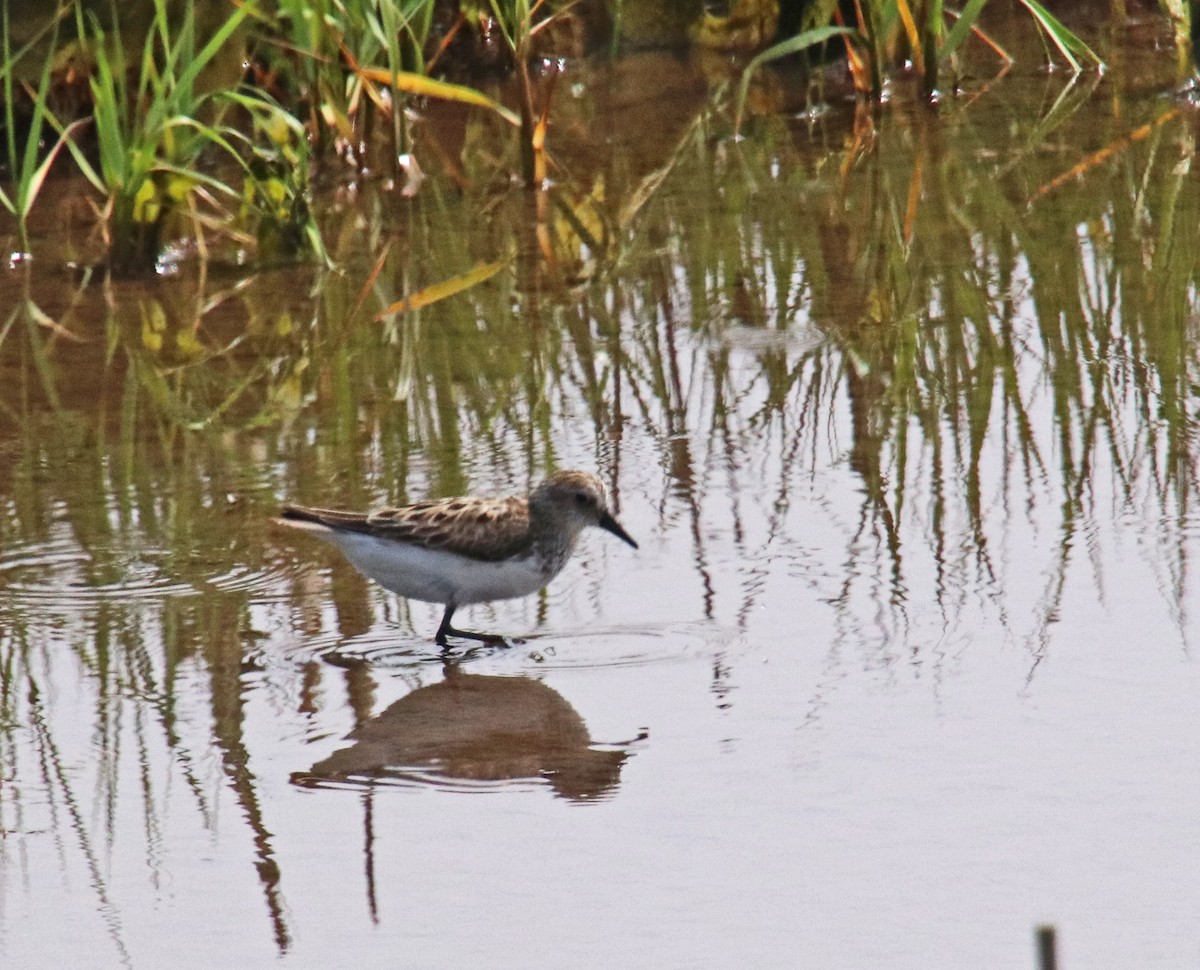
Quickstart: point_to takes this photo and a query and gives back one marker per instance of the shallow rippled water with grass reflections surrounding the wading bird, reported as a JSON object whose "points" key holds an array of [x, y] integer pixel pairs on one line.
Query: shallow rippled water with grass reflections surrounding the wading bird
{"points": [[902, 670]]}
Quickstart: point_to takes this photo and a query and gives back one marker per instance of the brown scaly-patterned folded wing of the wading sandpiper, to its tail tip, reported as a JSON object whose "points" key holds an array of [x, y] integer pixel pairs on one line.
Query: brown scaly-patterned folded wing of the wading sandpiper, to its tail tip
{"points": [[483, 529]]}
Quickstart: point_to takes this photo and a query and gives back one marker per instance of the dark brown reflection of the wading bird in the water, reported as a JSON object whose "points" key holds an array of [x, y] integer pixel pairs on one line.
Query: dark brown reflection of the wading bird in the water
{"points": [[477, 733]]}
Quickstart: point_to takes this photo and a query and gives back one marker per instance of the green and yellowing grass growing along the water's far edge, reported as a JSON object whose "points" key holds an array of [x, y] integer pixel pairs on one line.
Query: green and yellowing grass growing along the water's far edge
{"points": [[202, 124]]}
